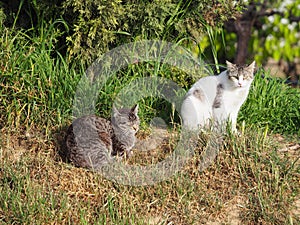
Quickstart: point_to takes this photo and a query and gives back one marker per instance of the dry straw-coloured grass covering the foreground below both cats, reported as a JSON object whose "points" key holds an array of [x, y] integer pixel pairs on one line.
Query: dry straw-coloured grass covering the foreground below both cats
{"points": [[250, 182]]}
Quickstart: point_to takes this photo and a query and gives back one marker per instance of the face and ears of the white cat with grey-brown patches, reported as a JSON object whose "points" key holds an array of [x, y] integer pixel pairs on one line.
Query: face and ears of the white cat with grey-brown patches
{"points": [[240, 77]]}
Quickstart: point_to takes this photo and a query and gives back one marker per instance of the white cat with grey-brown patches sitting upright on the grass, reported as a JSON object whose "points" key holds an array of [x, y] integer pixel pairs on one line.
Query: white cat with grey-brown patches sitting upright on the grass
{"points": [[217, 98]]}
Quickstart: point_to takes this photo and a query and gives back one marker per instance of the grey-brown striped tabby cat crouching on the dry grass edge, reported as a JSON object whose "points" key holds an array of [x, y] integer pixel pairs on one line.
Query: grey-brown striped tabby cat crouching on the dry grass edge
{"points": [[93, 142]]}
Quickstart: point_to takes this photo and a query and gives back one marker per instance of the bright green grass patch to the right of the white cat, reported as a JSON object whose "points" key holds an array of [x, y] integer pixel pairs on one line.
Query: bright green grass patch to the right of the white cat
{"points": [[271, 103]]}
